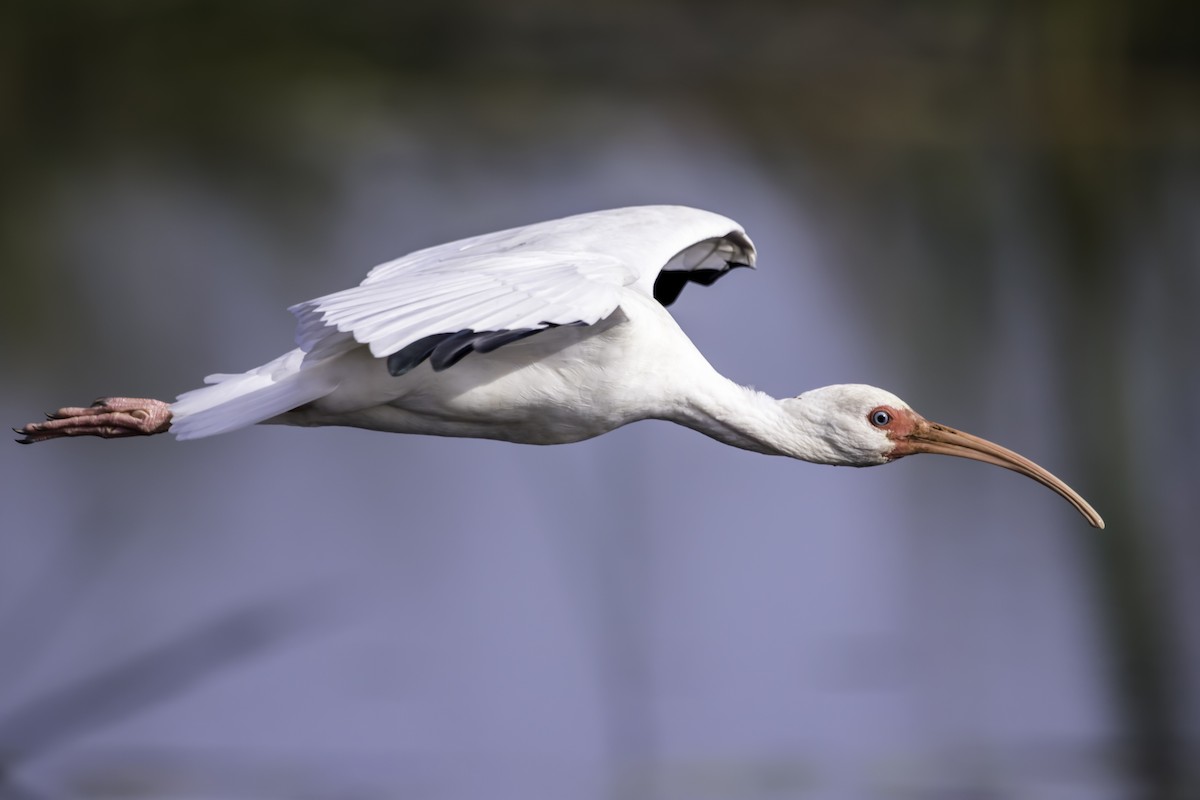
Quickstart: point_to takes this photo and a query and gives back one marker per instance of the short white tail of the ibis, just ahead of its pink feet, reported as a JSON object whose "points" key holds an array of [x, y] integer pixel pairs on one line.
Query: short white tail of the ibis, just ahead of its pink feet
{"points": [[237, 401]]}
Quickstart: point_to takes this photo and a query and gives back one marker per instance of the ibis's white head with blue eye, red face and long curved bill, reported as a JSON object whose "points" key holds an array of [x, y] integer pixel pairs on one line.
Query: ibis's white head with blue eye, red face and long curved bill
{"points": [[863, 426]]}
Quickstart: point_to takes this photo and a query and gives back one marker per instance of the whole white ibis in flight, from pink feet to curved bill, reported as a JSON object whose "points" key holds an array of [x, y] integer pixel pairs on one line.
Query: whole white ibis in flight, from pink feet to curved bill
{"points": [[548, 334]]}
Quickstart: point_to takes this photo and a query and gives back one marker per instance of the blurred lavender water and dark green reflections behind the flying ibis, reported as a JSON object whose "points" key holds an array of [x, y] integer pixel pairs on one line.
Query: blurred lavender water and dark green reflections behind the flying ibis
{"points": [[992, 209]]}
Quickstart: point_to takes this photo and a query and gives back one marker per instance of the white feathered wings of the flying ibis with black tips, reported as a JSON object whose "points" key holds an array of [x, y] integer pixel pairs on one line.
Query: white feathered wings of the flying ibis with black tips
{"points": [[482, 293]]}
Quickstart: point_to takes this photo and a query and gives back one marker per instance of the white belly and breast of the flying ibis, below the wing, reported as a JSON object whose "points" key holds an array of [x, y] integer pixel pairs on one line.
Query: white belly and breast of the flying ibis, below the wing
{"points": [[563, 386]]}
